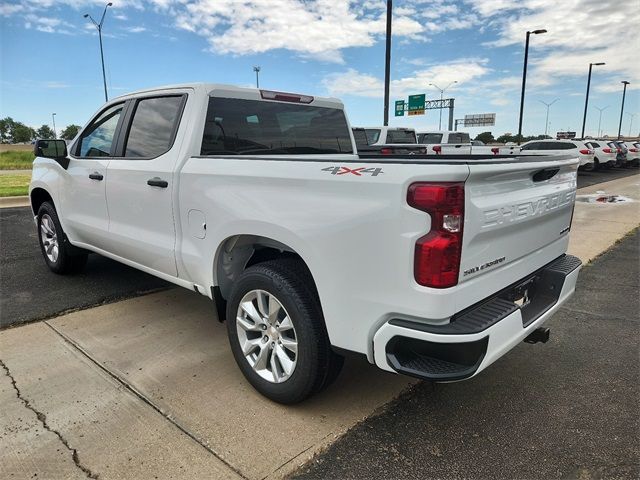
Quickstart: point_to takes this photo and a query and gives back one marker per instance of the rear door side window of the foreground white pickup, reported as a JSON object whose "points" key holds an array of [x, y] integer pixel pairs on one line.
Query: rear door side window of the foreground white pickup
{"points": [[153, 127]]}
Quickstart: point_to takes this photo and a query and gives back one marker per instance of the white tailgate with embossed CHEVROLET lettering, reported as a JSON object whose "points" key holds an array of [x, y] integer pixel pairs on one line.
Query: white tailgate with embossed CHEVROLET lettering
{"points": [[515, 208]]}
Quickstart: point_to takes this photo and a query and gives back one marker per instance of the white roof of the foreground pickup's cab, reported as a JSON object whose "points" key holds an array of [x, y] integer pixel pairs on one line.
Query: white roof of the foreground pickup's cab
{"points": [[233, 91]]}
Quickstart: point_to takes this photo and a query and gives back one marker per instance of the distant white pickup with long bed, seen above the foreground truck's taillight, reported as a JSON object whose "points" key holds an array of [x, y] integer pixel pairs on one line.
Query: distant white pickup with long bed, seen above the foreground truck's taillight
{"points": [[446, 142]]}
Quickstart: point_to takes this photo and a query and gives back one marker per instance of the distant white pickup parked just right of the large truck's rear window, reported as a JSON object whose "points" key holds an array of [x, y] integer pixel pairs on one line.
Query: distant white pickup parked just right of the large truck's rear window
{"points": [[387, 141]]}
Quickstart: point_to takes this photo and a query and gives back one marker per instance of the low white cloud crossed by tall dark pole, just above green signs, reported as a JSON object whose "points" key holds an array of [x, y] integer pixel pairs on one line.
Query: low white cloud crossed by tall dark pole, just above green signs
{"points": [[354, 83]]}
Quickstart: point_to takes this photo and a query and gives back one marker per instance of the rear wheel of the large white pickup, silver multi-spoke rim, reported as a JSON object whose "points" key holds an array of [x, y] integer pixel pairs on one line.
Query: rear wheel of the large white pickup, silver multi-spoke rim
{"points": [[277, 333]]}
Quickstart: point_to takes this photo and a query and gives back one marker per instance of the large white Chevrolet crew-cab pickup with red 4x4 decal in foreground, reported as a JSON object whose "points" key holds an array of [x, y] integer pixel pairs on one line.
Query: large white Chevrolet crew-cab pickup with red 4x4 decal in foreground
{"points": [[430, 266]]}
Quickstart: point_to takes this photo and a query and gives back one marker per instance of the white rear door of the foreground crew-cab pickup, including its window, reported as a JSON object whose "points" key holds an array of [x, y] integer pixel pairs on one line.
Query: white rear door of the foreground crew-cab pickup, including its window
{"points": [[140, 182]]}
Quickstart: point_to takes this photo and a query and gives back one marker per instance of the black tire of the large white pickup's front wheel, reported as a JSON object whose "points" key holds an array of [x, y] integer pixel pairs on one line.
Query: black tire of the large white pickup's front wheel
{"points": [[69, 259]]}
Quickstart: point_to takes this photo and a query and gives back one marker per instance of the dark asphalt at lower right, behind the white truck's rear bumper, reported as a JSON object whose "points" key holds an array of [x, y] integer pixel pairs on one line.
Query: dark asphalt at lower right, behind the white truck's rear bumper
{"points": [[564, 409]]}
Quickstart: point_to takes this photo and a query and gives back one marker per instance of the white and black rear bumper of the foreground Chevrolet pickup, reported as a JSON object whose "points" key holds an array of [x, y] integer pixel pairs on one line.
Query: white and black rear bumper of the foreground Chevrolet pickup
{"points": [[479, 335]]}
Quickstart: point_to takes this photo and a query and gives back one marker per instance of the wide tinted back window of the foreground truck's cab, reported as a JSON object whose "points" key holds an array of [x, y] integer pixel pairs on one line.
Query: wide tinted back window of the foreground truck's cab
{"points": [[235, 126]]}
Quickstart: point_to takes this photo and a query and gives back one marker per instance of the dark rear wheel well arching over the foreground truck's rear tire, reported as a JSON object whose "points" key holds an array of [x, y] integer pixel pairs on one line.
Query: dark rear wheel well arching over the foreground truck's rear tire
{"points": [[240, 252]]}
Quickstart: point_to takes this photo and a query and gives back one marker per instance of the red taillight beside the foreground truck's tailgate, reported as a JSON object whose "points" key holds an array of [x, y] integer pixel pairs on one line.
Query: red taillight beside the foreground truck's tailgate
{"points": [[437, 254]]}
